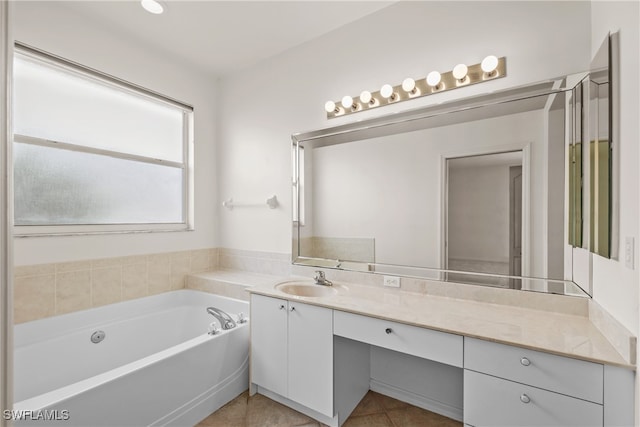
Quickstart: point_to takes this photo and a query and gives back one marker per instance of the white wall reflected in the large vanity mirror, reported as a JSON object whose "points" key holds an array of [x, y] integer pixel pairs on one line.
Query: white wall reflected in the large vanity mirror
{"points": [[390, 188]]}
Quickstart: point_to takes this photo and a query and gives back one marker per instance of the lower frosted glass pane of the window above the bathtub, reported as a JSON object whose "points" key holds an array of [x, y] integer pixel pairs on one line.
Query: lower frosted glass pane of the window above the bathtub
{"points": [[54, 186]]}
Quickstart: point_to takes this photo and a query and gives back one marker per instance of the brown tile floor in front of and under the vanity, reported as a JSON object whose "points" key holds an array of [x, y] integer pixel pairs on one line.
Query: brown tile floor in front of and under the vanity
{"points": [[375, 410]]}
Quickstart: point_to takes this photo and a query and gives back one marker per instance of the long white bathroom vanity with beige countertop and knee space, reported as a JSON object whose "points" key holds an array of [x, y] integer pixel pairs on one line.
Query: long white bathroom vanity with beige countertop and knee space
{"points": [[519, 366]]}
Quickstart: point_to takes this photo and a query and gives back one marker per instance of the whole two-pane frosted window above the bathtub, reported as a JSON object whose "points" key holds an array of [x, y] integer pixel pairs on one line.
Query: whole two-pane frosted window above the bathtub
{"points": [[96, 154]]}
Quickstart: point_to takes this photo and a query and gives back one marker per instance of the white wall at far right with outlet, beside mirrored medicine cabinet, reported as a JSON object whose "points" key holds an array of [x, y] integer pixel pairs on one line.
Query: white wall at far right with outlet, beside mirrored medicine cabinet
{"points": [[615, 287]]}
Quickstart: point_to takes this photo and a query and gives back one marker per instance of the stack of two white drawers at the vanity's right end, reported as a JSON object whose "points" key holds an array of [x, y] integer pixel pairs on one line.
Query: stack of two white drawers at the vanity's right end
{"points": [[512, 386]]}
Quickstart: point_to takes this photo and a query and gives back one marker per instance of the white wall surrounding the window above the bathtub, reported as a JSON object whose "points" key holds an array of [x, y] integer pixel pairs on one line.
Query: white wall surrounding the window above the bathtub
{"points": [[51, 27]]}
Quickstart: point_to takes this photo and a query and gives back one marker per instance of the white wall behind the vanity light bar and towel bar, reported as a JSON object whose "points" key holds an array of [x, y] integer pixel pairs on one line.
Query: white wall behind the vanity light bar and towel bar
{"points": [[261, 107]]}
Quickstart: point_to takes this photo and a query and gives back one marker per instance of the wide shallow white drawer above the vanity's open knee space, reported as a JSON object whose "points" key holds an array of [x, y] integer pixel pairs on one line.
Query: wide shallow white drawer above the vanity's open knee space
{"points": [[437, 346]]}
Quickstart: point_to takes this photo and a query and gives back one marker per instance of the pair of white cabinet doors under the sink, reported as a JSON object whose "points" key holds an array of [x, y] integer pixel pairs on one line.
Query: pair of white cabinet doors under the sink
{"points": [[292, 351]]}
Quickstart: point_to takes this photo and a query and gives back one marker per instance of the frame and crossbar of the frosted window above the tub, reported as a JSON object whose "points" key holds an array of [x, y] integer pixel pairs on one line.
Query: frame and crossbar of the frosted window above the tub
{"points": [[187, 164]]}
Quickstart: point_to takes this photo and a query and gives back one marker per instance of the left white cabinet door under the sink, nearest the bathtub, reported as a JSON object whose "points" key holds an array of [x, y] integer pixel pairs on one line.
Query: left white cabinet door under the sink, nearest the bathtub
{"points": [[269, 343]]}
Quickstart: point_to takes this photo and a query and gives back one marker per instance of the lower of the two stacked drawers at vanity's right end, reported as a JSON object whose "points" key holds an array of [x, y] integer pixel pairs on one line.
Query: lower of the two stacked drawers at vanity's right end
{"points": [[491, 401]]}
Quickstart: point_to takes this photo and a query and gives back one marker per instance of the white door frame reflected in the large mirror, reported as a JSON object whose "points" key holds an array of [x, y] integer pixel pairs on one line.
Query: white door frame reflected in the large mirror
{"points": [[525, 147]]}
